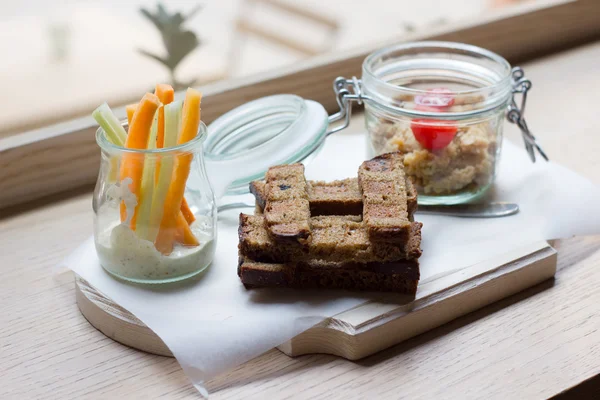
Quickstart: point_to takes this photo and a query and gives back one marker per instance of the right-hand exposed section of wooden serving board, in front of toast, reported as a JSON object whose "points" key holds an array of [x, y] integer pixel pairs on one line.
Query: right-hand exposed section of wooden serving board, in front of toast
{"points": [[376, 326]]}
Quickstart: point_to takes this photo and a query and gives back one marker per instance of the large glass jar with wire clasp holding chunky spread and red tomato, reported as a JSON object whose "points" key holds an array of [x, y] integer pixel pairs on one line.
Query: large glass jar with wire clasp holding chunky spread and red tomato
{"points": [[442, 106]]}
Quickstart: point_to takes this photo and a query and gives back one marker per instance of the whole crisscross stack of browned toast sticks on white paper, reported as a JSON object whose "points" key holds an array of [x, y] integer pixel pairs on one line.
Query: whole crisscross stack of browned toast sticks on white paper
{"points": [[355, 234]]}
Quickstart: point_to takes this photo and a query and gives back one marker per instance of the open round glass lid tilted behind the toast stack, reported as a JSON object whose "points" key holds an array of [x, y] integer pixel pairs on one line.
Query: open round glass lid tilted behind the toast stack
{"points": [[243, 143]]}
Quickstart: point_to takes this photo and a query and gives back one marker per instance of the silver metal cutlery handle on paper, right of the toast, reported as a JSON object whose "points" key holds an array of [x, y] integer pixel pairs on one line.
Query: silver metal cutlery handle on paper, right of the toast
{"points": [[487, 210]]}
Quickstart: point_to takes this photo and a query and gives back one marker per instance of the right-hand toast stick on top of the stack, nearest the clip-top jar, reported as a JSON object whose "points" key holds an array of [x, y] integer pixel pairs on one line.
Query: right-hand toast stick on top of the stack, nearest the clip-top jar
{"points": [[385, 201]]}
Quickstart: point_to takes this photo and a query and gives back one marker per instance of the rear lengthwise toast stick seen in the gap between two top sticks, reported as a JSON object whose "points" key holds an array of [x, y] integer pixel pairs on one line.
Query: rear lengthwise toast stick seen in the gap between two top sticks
{"points": [[341, 197]]}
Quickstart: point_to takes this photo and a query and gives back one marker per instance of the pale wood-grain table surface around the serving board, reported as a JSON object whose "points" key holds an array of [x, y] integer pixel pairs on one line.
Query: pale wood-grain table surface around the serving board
{"points": [[536, 344]]}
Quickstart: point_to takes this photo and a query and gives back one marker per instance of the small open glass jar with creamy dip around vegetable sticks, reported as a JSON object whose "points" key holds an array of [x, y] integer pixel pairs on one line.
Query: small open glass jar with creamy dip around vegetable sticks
{"points": [[133, 240]]}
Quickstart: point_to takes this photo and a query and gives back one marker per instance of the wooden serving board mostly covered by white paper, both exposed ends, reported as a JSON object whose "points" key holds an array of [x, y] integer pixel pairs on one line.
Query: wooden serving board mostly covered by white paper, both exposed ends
{"points": [[372, 326]]}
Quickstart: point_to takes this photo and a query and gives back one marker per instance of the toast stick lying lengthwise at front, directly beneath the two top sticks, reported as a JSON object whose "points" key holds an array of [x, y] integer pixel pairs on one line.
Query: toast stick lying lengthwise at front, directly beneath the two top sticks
{"points": [[334, 238]]}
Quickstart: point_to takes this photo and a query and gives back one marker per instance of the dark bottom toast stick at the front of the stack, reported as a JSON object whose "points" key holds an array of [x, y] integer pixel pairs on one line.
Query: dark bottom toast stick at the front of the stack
{"points": [[400, 277]]}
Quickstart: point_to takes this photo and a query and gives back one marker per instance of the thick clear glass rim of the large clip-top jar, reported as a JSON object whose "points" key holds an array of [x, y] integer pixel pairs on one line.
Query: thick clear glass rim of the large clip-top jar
{"points": [[488, 69]]}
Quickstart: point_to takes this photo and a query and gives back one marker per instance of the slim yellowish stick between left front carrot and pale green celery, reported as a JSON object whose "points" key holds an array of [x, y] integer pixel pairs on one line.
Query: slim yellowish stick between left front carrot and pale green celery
{"points": [[147, 189]]}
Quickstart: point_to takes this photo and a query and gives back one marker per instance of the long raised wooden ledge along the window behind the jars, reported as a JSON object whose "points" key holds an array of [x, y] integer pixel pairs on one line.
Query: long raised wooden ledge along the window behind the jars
{"points": [[65, 156]]}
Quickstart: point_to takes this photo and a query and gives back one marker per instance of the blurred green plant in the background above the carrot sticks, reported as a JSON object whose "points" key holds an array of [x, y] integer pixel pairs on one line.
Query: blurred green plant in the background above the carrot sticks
{"points": [[178, 41]]}
